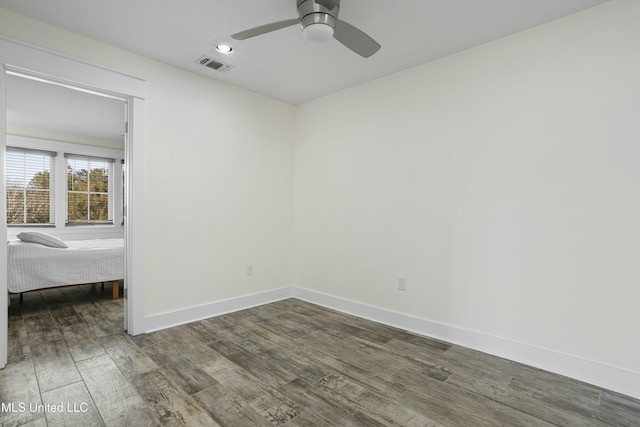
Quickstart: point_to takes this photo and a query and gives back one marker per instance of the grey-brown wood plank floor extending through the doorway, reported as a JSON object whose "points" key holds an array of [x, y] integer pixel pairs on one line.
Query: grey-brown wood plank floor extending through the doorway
{"points": [[286, 363]]}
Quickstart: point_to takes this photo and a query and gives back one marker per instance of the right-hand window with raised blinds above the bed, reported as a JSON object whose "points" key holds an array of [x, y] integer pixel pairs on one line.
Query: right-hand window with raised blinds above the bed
{"points": [[89, 190]]}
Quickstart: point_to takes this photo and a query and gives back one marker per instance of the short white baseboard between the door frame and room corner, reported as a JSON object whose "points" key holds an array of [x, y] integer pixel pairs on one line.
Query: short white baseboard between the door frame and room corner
{"points": [[193, 314]]}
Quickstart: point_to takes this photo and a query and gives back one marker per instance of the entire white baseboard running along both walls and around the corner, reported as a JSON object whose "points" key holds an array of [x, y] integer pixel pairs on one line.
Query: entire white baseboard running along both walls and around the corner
{"points": [[605, 376]]}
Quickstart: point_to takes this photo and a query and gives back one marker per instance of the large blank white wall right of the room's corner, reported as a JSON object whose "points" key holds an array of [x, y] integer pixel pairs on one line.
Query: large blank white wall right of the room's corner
{"points": [[502, 182]]}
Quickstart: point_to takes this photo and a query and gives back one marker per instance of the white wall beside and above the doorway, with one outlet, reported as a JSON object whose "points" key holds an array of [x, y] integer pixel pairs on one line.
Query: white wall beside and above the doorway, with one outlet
{"points": [[218, 177]]}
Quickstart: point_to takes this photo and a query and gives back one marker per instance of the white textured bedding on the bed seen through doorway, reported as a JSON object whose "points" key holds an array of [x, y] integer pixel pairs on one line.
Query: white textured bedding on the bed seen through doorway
{"points": [[32, 266]]}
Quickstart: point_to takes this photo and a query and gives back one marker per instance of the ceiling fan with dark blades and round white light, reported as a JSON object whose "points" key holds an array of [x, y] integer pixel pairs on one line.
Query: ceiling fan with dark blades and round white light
{"points": [[319, 22]]}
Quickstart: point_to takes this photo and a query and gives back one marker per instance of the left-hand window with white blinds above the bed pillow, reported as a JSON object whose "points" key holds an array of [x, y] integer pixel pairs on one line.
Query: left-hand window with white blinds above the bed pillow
{"points": [[30, 187]]}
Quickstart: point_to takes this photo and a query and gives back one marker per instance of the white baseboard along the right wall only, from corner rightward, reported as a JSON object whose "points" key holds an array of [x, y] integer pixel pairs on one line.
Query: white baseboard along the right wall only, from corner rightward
{"points": [[601, 375]]}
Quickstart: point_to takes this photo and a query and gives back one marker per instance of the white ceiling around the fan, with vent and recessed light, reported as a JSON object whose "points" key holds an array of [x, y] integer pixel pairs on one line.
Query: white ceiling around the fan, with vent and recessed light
{"points": [[282, 64]]}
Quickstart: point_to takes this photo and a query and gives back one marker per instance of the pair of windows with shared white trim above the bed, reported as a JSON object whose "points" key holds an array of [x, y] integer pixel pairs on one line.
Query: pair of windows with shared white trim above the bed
{"points": [[74, 188]]}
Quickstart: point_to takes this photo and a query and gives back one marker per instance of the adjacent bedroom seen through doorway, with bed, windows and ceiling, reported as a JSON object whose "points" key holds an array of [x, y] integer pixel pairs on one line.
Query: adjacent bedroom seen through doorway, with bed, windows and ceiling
{"points": [[65, 191]]}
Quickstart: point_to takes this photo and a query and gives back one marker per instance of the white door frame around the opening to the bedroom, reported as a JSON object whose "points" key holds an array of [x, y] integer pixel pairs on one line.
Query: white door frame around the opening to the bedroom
{"points": [[35, 61]]}
